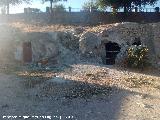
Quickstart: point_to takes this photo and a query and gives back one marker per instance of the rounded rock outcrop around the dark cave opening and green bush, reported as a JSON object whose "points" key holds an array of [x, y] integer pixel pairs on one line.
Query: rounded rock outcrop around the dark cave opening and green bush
{"points": [[129, 34]]}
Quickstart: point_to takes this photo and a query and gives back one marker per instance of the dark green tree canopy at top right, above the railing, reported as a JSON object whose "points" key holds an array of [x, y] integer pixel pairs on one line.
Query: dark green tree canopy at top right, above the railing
{"points": [[126, 4]]}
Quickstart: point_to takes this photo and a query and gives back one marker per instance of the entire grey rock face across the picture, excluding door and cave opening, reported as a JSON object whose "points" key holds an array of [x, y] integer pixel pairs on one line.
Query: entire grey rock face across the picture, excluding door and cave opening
{"points": [[72, 46]]}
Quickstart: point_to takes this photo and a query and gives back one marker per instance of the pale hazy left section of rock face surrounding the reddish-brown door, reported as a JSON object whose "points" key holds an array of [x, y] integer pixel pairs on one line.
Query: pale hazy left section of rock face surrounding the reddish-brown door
{"points": [[12, 40]]}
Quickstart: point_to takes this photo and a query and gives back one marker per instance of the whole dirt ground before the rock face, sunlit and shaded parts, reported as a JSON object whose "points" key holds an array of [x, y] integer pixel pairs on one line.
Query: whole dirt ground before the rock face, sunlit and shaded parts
{"points": [[80, 92]]}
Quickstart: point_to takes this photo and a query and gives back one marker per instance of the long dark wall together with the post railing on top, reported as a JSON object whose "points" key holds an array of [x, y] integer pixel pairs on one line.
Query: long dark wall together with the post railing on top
{"points": [[88, 16]]}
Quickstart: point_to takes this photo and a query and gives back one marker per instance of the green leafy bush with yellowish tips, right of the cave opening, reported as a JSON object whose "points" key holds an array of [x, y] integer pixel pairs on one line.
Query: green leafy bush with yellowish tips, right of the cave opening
{"points": [[137, 57]]}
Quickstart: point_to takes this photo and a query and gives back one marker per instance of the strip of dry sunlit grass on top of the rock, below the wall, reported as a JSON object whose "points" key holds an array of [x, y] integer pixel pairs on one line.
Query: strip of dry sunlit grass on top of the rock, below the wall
{"points": [[57, 27]]}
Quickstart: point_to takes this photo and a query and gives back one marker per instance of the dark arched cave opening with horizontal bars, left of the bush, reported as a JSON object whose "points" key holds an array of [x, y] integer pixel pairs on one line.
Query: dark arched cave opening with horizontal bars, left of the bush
{"points": [[112, 49]]}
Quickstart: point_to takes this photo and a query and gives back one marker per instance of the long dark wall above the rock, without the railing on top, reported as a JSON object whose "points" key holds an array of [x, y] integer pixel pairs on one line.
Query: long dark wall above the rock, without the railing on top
{"points": [[83, 17]]}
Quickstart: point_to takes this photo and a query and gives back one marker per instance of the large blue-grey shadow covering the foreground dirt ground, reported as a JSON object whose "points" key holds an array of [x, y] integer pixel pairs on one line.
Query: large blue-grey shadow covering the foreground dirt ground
{"points": [[37, 95]]}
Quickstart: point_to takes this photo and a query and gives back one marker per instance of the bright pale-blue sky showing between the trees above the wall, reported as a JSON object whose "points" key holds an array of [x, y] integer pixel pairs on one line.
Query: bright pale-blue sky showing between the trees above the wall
{"points": [[38, 4]]}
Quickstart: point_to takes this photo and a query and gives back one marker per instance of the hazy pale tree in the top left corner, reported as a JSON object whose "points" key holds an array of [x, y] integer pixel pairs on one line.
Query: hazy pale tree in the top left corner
{"points": [[6, 3]]}
